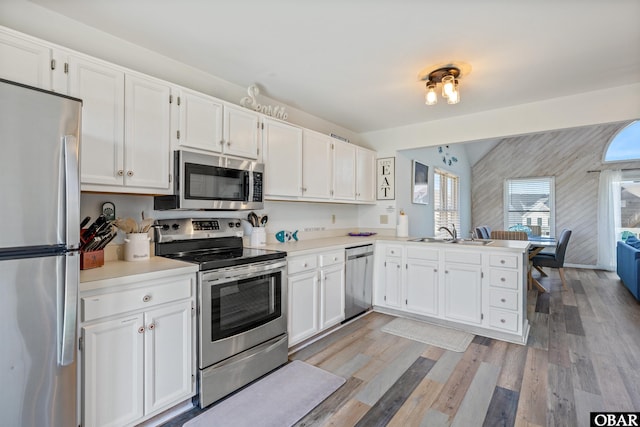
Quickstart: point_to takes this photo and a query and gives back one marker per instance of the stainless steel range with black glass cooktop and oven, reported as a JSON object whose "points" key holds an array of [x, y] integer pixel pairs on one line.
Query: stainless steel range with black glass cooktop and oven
{"points": [[242, 300]]}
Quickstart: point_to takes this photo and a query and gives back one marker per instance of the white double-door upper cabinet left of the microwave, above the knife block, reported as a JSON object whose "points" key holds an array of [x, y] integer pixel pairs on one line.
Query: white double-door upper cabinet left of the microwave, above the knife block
{"points": [[126, 125]]}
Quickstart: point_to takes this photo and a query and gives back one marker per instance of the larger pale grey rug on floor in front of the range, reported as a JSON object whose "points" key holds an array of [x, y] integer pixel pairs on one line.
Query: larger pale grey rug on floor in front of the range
{"points": [[279, 399]]}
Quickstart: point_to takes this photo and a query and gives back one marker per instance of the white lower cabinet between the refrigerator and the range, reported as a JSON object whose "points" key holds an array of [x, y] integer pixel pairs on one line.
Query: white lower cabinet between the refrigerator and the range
{"points": [[137, 351]]}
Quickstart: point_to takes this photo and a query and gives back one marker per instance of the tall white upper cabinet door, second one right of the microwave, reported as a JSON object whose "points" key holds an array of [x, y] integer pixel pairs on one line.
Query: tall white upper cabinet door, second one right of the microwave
{"points": [[317, 165]]}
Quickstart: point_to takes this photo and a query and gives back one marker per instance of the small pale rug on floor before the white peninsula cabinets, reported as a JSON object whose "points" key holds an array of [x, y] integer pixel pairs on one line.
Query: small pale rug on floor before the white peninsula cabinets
{"points": [[439, 336]]}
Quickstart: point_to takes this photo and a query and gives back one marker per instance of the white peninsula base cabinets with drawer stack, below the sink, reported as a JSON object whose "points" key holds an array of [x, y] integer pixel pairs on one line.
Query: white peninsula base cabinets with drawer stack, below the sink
{"points": [[480, 289]]}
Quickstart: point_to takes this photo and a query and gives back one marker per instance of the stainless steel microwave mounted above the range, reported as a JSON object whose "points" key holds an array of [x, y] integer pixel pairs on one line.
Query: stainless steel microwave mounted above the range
{"points": [[207, 182]]}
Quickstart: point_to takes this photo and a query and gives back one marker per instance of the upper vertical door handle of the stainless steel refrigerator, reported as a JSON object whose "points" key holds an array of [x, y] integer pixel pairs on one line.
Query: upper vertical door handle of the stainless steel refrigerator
{"points": [[72, 195]]}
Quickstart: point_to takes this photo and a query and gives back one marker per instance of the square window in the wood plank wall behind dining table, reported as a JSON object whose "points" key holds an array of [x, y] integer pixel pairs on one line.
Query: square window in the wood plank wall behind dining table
{"points": [[530, 201]]}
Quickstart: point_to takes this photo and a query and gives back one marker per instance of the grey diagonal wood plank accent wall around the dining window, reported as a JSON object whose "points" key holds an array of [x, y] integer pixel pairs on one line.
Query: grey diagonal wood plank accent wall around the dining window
{"points": [[566, 154]]}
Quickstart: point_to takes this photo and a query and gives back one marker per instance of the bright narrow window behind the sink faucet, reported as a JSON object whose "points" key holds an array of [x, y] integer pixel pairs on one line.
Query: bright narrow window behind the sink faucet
{"points": [[445, 201]]}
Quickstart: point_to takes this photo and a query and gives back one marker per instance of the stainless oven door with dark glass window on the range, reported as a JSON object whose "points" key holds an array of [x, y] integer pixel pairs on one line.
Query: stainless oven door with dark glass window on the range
{"points": [[240, 307]]}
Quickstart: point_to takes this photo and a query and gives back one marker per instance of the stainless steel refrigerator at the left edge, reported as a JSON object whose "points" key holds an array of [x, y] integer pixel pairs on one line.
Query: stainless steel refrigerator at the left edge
{"points": [[39, 262]]}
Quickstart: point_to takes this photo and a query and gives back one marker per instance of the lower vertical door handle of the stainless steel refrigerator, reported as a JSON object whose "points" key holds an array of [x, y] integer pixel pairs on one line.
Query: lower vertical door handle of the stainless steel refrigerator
{"points": [[70, 309]]}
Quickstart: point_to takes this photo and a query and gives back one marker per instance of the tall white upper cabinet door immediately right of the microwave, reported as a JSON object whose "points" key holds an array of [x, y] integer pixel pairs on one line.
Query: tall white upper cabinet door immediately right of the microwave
{"points": [[282, 154]]}
